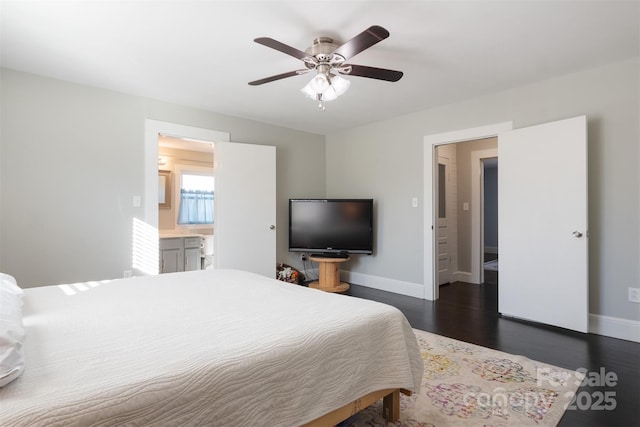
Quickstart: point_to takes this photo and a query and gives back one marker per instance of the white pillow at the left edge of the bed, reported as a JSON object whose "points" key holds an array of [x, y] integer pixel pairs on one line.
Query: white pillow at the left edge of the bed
{"points": [[11, 330]]}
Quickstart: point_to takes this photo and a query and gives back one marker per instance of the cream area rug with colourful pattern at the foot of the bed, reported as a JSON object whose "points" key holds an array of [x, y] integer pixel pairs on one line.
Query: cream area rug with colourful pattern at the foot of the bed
{"points": [[468, 385]]}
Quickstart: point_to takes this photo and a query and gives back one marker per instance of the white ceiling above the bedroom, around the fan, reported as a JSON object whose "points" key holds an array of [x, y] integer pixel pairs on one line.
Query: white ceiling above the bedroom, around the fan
{"points": [[202, 54]]}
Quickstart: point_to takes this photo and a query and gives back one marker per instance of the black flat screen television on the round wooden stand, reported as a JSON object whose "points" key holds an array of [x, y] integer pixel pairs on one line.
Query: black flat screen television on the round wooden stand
{"points": [[331, 227]]}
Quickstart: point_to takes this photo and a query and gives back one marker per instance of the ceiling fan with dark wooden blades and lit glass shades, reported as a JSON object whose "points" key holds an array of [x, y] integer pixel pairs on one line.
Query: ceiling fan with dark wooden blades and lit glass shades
{"points": [[329, 62]]}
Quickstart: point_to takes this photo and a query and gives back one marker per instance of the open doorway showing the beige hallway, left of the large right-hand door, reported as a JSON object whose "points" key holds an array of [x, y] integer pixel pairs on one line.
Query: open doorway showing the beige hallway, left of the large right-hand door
{"points": [[466, 231]]}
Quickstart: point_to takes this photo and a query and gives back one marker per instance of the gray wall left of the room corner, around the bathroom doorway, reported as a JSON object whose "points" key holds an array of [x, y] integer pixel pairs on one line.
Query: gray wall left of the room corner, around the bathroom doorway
{"points": [[72, 159]]}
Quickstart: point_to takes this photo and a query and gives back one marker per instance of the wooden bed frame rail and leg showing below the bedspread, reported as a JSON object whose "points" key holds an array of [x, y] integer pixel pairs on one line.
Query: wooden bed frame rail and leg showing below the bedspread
{"points": [[390, 407]]}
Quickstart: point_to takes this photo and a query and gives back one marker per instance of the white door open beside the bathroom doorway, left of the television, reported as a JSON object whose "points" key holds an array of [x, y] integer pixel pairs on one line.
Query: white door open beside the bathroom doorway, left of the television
{"points": [[245, 207]]}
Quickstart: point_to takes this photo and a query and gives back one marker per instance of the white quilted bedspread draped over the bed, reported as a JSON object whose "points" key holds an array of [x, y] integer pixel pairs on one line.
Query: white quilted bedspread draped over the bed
{"points": [[215, 348]]}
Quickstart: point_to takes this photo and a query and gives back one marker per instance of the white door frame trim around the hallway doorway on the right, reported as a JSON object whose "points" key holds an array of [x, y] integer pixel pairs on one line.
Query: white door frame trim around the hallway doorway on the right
{"points": [[431, 288]]}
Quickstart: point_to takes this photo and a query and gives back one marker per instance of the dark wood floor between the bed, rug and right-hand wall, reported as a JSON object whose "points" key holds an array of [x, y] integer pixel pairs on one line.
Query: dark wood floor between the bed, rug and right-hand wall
{"points": [[470, 313]]}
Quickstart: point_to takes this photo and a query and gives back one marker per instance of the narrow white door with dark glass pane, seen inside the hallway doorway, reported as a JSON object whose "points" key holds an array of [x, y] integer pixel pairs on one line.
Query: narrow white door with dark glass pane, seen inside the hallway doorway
{"points": [[443, 208]]}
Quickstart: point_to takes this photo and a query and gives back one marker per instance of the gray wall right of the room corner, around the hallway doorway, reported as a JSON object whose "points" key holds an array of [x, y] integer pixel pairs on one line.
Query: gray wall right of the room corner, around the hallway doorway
{"points": [[384, 160]]}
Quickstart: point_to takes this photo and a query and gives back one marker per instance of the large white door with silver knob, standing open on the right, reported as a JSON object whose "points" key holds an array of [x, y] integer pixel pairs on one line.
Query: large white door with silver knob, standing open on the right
{"points": [[542, 231]]}
